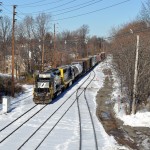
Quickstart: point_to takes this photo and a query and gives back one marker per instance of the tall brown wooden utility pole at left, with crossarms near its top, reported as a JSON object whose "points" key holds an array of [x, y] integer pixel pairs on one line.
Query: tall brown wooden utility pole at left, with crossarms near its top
{"points": [[13, 49]]}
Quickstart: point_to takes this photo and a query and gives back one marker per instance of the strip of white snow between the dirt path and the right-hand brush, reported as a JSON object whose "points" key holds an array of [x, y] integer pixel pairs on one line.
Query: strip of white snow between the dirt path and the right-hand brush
{"points": [[140, 119]]}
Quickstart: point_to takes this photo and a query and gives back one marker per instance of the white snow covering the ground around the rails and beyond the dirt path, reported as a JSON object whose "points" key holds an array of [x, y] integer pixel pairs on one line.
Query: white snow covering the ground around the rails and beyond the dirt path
{"points": [[66, 134]]}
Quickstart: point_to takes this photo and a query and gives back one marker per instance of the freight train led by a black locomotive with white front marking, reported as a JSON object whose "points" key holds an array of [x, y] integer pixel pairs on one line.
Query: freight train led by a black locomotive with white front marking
{"points": [[50, 83]]}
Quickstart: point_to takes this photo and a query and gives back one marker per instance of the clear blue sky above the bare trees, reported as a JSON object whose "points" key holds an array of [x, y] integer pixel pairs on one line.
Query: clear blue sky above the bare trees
{"points": [[99, 15]]}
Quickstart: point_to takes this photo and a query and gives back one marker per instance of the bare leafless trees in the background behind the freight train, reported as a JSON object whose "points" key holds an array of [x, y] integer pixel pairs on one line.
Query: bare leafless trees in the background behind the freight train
{"points": [[39, 46]]}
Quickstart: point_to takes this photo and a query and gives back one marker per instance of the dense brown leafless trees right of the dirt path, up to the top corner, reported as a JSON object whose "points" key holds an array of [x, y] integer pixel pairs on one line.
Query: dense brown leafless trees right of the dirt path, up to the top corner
{"points": [[124, 47]]}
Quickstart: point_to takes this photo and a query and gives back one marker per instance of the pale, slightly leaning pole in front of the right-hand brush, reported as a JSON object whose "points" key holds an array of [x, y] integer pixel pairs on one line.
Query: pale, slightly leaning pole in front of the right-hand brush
{"points": [[135, 77]]}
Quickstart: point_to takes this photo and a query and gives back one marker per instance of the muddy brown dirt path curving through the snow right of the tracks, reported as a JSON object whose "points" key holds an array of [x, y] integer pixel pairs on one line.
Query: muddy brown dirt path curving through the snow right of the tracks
{"points": [[133, 138]]}
